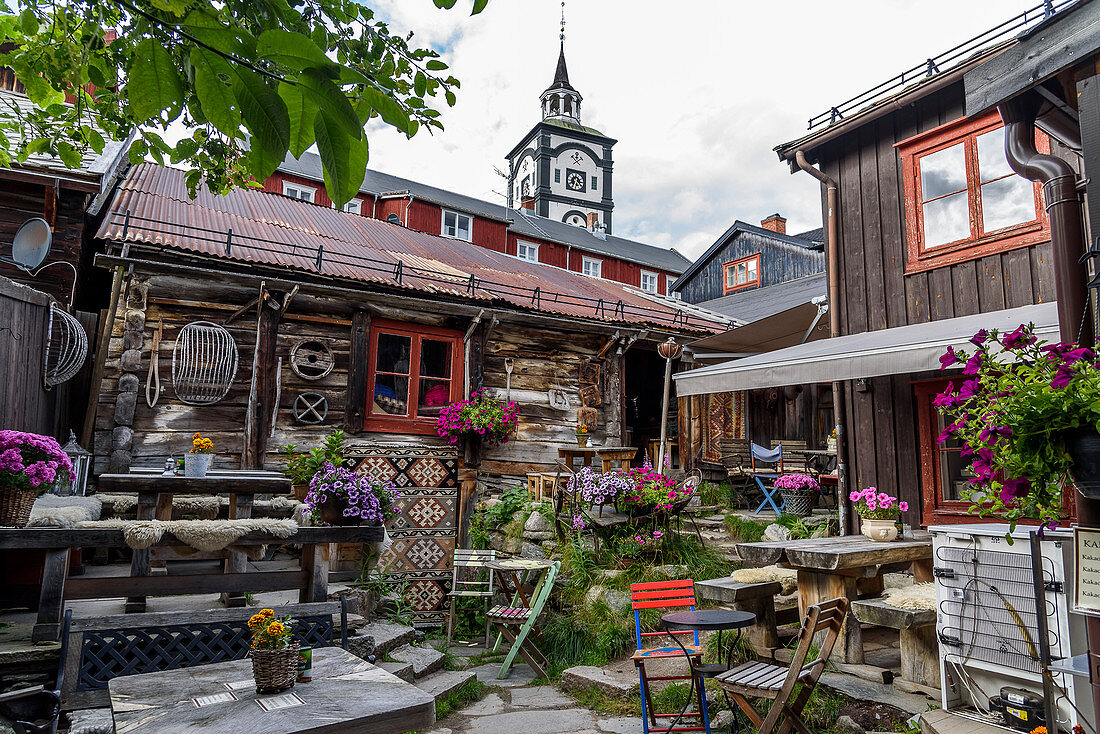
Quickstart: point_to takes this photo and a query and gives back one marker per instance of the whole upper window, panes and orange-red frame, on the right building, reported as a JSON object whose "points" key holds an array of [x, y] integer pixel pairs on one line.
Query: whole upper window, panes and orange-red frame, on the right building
{"points": [[963, 201]]}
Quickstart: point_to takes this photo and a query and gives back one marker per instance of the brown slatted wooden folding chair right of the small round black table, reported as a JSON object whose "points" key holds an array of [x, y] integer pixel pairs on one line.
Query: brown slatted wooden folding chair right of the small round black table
{"points": [[771, 682]]}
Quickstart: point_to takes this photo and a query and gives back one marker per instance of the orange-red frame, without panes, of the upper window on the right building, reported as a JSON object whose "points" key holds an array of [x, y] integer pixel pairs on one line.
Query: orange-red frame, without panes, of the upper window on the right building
{"points": [[978, 244]]}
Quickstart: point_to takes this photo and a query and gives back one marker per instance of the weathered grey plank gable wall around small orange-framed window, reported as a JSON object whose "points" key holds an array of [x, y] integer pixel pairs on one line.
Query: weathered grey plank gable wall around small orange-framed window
{"points": [[779, 264]]}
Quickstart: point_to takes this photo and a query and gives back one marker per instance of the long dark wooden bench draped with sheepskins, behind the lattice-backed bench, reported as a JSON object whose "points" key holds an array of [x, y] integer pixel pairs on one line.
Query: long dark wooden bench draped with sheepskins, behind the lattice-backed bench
{"points": [[312, 580]]}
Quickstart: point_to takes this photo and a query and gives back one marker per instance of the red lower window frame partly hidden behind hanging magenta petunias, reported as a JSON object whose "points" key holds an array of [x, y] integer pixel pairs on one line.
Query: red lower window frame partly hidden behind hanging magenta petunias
{"points": [[938, 511]]}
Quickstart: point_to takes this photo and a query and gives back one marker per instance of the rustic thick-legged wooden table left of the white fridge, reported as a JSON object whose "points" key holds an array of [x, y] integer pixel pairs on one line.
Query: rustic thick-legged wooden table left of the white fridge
{"points": [[851, 567]]}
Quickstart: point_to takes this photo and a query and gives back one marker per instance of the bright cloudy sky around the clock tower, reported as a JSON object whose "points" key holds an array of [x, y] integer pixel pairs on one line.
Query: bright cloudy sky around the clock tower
{"points": [[698, 93]]}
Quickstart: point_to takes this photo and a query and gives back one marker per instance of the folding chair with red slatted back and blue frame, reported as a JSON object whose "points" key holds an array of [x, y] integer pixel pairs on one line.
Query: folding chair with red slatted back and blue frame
{"points": [[672, 596]]}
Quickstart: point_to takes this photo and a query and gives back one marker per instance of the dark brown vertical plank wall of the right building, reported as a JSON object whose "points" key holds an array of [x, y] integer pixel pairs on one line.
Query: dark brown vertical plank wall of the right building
{"points": [[877, 294]]}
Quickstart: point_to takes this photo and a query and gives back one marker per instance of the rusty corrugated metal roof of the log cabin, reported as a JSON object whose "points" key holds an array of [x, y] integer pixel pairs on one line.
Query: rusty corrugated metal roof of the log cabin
{"points": [[251, 226]]}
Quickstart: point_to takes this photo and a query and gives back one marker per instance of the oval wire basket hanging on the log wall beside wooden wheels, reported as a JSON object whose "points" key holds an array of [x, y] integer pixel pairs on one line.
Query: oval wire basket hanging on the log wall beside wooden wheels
{"points": [[204, 364]]}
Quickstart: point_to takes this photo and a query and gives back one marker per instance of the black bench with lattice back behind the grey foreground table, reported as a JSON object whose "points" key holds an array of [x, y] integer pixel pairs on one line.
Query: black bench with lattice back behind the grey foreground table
{"points": [[98, 650]]}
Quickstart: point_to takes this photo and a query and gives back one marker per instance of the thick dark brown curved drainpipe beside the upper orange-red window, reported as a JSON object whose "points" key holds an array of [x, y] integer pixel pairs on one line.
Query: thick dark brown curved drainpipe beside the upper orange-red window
{"points": [[1064, 210]]}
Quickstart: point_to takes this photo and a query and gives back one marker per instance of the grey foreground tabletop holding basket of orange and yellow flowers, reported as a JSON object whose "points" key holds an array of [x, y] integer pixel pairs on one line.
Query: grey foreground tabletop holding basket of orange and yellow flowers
{"points": [[346, 695]]}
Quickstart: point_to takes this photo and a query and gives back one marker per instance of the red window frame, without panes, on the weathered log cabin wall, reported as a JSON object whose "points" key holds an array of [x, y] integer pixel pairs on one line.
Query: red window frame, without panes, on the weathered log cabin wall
{"points": [[411, 423]]}
